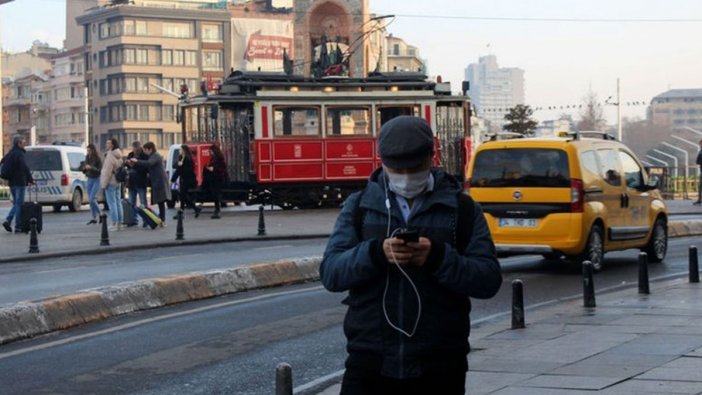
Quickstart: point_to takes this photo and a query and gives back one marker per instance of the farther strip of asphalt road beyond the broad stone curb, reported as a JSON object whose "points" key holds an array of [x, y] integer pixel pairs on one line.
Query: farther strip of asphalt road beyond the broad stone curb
{"points": [[43, 278]]}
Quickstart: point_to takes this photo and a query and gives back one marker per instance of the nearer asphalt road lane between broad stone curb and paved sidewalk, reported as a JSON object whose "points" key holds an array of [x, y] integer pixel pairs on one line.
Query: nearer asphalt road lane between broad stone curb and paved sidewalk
{"points": [[232, 344]]}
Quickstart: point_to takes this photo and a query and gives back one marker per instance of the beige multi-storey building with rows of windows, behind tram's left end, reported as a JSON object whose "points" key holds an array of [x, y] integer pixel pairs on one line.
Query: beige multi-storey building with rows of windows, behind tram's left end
{"points": [[133, 49]]}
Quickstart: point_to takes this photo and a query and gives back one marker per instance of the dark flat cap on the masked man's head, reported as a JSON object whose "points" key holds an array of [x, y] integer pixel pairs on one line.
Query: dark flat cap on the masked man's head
{"points": [[405, 142]]}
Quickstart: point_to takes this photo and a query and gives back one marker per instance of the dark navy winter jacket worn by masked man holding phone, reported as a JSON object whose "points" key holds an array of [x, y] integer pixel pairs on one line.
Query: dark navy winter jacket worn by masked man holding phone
{"points": [[444, 283]]}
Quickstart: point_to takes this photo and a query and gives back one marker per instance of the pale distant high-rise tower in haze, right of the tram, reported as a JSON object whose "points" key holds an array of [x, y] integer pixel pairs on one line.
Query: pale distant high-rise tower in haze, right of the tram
{"points": [[494, 90]]}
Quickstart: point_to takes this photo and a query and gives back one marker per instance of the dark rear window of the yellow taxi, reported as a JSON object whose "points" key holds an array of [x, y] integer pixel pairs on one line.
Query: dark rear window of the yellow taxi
{"points": [[521, 167]]}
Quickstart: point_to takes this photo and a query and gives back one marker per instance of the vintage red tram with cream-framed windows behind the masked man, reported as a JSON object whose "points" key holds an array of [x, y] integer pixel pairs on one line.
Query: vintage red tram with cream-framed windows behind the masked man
{"points": [[299, 142]]}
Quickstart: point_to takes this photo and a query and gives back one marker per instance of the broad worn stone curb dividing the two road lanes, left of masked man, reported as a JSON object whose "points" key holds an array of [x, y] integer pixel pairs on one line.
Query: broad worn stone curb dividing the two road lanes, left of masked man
{"points": [[29, 319]]}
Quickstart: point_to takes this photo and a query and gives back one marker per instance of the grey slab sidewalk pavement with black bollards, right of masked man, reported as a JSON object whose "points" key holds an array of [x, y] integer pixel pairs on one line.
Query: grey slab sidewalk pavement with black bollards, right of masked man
{"points": [[628, 344]]}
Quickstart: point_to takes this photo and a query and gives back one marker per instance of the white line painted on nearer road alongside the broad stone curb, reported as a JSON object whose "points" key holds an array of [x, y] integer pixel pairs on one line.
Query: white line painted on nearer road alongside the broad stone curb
{"points": [[150, 320]]}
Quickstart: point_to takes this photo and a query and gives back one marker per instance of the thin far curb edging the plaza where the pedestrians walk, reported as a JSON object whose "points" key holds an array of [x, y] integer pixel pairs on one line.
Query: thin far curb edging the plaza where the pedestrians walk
{"points": [[142, 246]]}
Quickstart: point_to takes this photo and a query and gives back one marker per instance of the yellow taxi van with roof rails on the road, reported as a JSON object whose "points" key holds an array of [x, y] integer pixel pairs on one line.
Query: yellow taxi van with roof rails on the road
{"points": [[573, 196]]}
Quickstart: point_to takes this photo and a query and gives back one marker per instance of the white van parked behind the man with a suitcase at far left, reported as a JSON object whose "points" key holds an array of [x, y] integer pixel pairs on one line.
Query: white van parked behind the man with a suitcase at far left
{"points": [[56, 172]]}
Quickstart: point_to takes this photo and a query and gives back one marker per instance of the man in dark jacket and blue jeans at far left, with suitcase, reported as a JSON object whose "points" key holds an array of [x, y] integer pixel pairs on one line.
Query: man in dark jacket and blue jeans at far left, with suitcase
{"points": [[16, 171]]}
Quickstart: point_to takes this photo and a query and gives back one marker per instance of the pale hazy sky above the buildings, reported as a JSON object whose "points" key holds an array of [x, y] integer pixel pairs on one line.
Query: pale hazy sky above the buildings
{"points": [[565, 47]]}
